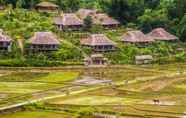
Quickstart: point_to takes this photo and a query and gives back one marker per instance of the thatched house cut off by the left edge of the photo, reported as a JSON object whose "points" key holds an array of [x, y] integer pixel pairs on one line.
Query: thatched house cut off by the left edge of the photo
{"points": [[5, 41]]}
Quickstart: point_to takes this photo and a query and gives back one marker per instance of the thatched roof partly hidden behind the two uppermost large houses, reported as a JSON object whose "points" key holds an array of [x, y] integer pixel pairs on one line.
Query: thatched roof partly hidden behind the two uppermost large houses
{"points": [[83, 13]]}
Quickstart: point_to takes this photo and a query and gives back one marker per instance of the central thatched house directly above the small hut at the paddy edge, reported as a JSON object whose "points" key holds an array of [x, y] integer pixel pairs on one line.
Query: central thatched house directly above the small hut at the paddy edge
{"points": [[99, 43]]}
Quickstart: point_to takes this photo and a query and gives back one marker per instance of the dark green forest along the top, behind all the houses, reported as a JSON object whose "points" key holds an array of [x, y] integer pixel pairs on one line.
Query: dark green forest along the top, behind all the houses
{"points": [[144, 14]]}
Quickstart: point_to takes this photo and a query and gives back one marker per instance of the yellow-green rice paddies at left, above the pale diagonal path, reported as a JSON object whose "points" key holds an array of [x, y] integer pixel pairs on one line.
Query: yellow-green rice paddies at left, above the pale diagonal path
{"points": [[24, 84]]}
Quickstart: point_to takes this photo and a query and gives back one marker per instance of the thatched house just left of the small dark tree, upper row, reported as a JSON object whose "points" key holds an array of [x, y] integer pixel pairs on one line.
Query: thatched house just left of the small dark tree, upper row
{"points": [[68, 21]]}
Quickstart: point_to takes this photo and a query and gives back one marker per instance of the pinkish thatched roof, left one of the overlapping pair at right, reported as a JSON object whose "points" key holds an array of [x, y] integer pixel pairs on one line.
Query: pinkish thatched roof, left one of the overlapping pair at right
{"points": [[136, 37]]}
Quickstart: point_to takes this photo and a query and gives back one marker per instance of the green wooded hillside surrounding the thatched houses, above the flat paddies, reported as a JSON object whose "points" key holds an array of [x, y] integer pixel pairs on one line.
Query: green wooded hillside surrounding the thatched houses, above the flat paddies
{"points": [[20, 19]]}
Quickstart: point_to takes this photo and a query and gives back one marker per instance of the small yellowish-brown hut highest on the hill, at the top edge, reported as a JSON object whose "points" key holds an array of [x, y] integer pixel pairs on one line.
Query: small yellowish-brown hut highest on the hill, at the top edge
{"points": [[47, 7]]}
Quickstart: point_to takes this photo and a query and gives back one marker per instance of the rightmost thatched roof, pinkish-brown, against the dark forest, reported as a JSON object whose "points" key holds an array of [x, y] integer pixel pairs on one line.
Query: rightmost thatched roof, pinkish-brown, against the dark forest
{"points": [[161, 34]]}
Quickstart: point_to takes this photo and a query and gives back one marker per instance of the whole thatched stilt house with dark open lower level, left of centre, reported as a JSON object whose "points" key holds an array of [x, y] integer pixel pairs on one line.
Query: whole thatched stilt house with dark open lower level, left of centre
{"points": [[44, 41]]}
